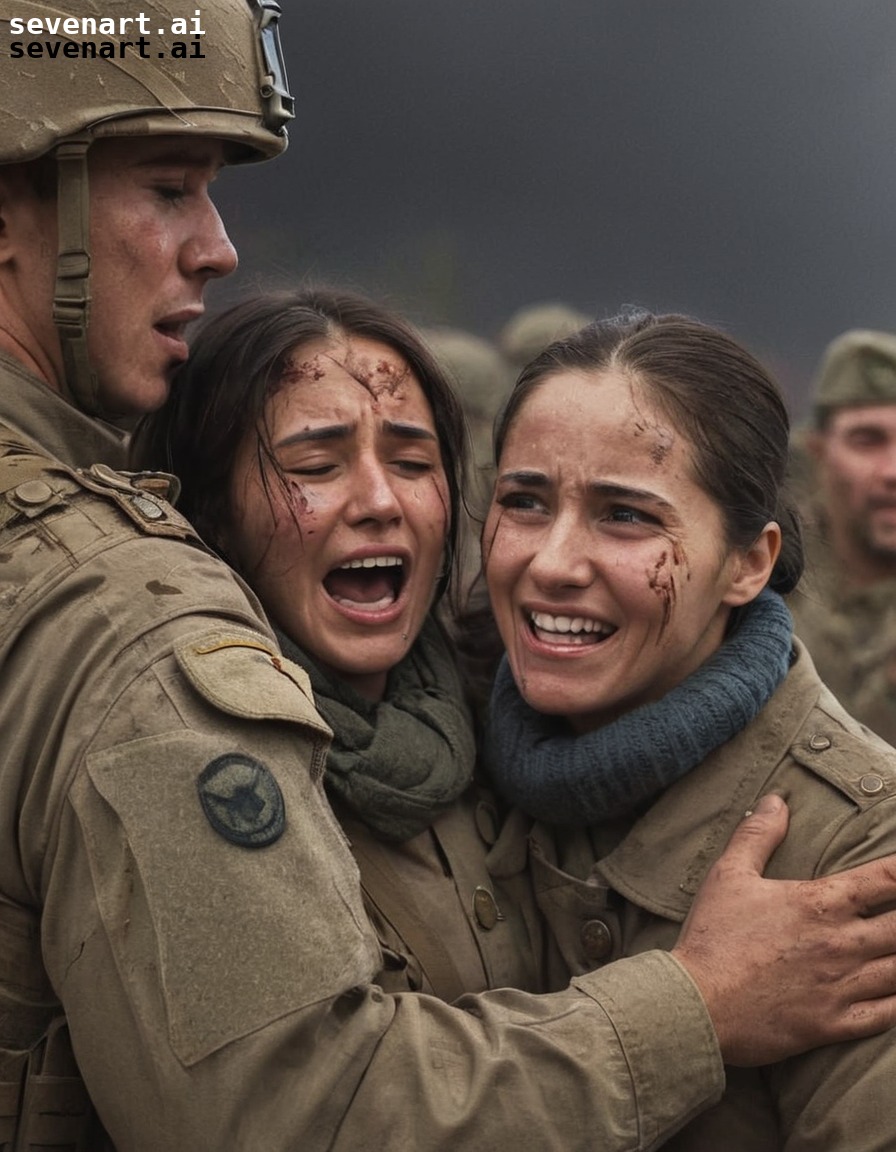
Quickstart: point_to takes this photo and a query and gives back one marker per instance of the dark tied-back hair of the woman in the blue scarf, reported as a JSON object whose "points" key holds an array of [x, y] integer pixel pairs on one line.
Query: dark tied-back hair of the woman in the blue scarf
{"points": [[716, 395]]}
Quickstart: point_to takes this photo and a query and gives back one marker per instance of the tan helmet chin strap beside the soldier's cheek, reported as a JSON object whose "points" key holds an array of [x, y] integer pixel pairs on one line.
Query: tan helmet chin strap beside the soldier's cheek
{"points": [[72, 295]]}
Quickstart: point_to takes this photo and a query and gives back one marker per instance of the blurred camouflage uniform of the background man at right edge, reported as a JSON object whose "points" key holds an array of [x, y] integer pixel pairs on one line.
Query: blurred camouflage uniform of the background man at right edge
{"points": [[852, 635]]}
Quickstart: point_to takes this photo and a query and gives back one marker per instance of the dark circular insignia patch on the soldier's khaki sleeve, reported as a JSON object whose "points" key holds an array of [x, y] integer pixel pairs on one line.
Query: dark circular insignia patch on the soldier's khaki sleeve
{"points": [[242, 801]]}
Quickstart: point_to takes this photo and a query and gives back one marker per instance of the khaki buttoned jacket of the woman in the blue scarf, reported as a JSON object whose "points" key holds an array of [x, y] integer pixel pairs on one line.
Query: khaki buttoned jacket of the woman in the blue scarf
{"points": [[620, 890]]}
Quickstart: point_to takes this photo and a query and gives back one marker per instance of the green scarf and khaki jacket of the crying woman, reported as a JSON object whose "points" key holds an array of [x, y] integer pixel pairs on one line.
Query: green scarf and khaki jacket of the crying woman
{"points": [[400, 777]]}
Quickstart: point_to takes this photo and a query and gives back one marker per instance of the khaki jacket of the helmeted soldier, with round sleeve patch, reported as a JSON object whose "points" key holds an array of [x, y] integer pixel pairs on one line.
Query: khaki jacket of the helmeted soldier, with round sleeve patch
{"points": [[173, 880]]}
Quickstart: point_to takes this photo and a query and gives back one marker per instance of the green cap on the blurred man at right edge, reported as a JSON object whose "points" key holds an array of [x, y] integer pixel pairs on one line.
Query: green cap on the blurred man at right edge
{"points": [[857, 369]]}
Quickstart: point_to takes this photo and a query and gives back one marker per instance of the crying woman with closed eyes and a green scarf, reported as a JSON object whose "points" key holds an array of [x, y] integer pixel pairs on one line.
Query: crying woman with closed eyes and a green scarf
{"points": [[321, 450]]}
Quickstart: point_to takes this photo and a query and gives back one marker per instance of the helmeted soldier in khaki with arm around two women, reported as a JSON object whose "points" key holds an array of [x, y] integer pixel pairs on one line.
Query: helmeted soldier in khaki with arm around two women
{"points": [[176, 895]]}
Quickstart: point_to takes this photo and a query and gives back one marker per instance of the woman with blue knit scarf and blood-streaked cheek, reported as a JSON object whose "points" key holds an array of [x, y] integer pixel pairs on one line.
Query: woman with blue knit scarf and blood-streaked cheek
{"points": [[636, 554]]}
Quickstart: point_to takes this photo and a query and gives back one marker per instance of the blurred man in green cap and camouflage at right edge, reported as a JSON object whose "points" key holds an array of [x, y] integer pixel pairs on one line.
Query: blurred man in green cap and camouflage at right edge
{"points": [[846, 608]]}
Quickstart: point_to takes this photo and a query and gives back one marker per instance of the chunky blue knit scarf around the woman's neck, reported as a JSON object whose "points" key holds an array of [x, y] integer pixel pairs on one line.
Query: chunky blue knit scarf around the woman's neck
{"points": [[561, 778]]}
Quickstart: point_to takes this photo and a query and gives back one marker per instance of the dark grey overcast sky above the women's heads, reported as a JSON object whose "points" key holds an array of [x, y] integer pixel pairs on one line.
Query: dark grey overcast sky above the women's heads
{"points": [[464, 158]]}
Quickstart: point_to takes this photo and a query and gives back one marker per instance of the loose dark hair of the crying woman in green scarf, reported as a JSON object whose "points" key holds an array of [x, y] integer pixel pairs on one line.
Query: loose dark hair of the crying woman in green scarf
{"points": [[239, 360]]}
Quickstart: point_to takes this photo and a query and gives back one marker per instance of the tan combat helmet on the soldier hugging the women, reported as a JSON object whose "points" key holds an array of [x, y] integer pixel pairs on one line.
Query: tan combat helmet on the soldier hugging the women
{"points": [[69, 75]]}
